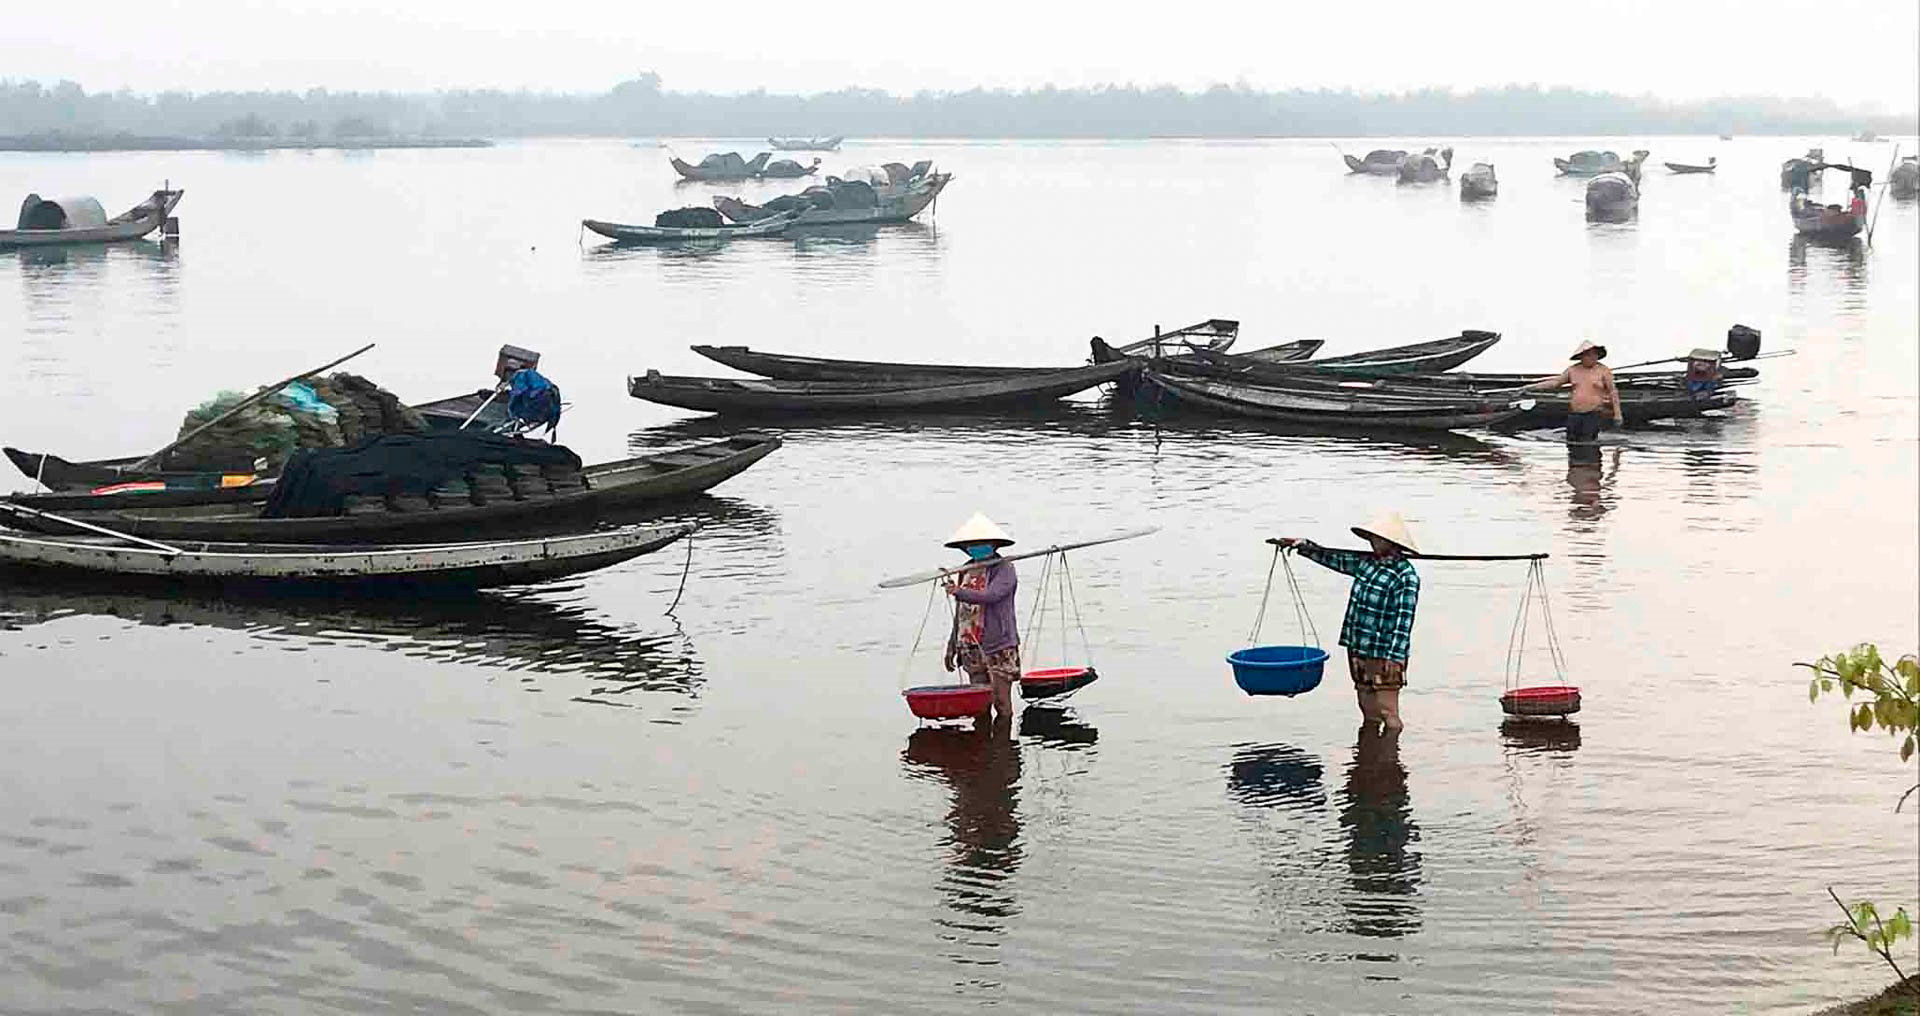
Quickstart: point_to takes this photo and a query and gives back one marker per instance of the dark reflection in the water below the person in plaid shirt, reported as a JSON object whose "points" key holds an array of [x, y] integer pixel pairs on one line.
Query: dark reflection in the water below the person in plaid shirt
{"points": [[1378, 817]]}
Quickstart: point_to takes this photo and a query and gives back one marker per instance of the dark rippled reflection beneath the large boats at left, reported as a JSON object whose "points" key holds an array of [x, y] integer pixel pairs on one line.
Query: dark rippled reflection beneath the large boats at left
{"points": [[516, 631]]}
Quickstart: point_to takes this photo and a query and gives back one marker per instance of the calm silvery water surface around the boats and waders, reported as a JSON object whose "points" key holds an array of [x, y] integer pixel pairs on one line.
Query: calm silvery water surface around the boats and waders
{"points": [[567, 802]]}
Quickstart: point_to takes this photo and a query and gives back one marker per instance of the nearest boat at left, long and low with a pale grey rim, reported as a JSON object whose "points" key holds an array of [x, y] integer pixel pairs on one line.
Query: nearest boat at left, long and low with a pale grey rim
{"points": [[266, 568]]}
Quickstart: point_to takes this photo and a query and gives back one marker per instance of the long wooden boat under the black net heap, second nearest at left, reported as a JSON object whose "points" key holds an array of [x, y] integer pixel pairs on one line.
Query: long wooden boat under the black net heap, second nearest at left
{"points": [[615, 485]]}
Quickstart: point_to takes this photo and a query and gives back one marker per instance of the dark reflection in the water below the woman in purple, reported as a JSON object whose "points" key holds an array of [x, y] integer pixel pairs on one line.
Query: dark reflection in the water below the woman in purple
{"points": [[982, 765]]}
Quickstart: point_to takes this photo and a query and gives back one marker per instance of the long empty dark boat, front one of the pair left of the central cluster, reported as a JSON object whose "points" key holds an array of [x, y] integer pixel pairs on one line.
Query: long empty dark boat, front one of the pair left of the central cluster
{"points": [[823, 397]]}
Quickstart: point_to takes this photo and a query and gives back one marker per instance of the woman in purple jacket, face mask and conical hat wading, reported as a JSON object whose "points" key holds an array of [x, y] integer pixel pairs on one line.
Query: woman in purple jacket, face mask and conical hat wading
{"points": [[986, 637]]}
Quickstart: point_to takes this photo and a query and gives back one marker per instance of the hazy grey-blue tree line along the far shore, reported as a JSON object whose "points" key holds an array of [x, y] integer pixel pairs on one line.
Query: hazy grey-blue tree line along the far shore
{"points": [[644, 109]]}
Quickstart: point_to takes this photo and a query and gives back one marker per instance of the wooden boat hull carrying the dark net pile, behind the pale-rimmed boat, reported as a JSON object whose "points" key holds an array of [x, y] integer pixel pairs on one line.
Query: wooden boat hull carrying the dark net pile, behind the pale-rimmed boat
{"points": [[454, 504]]}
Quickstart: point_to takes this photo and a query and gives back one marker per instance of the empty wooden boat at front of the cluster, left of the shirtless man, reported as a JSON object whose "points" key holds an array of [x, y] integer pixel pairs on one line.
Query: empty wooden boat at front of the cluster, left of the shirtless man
{"points": [[1332, 406]]}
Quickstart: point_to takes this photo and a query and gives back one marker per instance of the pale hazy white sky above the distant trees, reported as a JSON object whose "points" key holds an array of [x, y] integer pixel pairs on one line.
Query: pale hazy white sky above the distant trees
{"points": [[1852, 51]]}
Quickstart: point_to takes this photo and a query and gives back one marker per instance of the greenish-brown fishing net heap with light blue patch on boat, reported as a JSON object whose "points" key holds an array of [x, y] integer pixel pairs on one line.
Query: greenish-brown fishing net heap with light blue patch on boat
{"points": [[322, 414]]}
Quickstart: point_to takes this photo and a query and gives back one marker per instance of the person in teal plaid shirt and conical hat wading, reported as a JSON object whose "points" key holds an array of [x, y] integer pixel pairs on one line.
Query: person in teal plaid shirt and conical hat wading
{"points": [[1380, 614]]}
